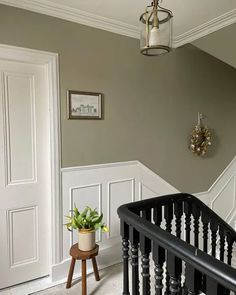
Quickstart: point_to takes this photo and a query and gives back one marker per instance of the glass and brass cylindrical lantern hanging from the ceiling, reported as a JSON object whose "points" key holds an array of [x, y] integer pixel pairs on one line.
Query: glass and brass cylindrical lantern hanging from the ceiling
{"points": [[156, 34]]}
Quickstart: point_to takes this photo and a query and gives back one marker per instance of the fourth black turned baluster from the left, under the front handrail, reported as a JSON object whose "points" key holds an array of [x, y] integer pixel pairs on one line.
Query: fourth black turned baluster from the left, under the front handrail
{"points": [[159, 259]]}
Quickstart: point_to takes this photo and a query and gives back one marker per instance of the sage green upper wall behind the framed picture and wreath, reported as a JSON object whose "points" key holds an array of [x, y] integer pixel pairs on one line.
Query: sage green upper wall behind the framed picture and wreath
{"points": [[151, 104]]}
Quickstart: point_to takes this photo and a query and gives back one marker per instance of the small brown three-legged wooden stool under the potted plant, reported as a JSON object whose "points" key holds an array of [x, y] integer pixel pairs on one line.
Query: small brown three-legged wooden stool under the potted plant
{"points": [[76, 254]]}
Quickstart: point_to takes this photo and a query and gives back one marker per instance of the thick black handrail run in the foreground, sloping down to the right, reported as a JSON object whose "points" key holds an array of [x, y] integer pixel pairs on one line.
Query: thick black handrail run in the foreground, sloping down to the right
{"points": [[221, 272]]}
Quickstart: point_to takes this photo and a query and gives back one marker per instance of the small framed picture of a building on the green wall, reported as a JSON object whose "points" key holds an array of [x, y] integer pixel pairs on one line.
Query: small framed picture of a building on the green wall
{"points": [[84, 105]]}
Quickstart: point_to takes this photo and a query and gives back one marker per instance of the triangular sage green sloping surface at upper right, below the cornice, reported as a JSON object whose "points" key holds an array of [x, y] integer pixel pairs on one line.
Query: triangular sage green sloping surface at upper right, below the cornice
{"points": [[221, 44]]}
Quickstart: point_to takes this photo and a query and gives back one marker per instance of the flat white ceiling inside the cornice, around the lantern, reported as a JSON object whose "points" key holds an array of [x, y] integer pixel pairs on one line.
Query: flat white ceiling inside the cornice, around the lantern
{"points": [[188, 14]]}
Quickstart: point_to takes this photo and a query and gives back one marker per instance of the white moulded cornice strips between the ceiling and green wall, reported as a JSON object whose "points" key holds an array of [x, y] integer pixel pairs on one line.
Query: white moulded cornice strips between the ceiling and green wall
{"points": [[75, 15]]}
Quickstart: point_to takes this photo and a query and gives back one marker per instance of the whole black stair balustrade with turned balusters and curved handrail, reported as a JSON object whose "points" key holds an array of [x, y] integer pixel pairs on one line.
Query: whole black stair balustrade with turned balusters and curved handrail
{"points": [[190, 245]]}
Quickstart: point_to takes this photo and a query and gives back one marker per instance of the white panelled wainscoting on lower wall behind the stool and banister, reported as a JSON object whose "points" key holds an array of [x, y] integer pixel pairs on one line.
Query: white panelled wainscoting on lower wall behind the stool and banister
{"points": [[107, 186]]}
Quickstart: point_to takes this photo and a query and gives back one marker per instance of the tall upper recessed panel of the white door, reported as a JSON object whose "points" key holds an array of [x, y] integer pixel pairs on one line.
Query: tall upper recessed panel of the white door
{"points": [[20, 123]]}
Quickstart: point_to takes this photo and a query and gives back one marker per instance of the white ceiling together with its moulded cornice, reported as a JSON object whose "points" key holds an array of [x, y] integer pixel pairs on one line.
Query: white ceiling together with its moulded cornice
{"points": [[192, 19]]}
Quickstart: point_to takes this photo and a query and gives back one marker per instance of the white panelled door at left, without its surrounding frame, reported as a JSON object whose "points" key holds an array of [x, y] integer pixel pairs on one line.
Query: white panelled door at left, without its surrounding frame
{"points": [[24, 172]]}
